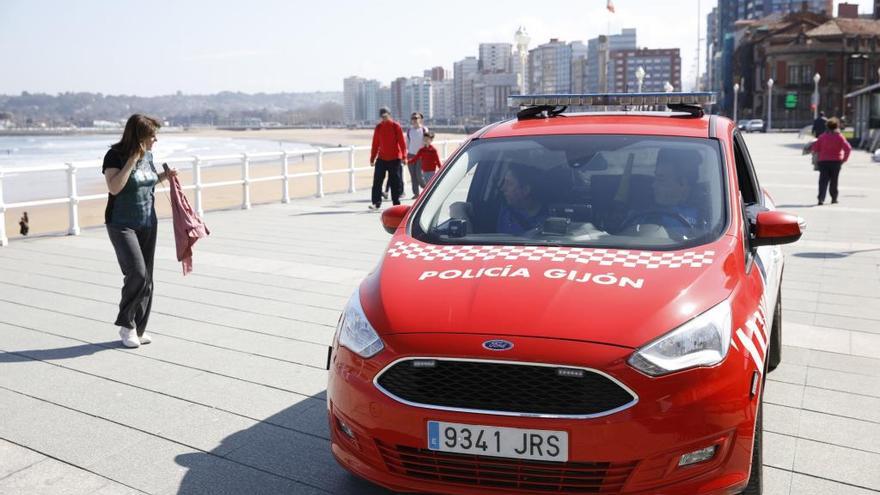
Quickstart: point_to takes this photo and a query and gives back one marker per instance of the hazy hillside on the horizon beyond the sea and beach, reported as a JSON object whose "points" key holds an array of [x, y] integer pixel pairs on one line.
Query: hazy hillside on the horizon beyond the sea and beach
{"points": [[82, 109]]}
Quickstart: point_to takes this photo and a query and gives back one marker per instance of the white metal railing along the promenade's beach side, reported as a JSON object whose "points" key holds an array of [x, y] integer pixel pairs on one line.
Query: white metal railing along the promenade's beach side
{"points": [[198, 163]]}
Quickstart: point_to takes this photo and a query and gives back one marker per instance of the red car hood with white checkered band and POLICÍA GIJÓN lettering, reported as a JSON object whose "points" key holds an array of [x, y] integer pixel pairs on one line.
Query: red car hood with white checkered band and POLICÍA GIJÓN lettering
{"points": [[609, 296]]}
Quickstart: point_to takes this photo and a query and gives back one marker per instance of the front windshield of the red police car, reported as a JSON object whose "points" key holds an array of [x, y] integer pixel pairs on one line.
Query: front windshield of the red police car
{"points": [[618, 191]]}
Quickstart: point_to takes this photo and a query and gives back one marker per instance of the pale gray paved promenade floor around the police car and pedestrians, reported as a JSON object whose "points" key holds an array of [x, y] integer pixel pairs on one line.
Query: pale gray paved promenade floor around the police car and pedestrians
{"points": [[229, 399]]}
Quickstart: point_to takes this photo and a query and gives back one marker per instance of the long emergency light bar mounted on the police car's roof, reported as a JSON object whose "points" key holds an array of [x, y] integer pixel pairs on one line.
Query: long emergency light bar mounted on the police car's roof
{"points": [[611, 99]]}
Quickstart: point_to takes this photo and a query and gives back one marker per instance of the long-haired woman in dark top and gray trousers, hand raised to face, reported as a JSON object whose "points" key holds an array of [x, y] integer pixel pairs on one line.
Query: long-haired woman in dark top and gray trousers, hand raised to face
{"points": [[131, 223]]}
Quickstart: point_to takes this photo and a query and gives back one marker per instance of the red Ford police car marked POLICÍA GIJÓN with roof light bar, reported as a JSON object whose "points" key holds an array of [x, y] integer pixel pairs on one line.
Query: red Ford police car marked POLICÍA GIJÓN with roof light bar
{"points": [[578, 303]]}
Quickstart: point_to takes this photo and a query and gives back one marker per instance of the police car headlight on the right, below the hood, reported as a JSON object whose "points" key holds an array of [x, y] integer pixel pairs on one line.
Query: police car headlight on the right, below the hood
{"points": [[702, 341]]}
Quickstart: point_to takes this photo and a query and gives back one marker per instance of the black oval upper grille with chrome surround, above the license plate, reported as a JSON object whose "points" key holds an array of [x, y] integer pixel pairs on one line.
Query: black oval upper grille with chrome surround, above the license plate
{"points": [[503, 387]]}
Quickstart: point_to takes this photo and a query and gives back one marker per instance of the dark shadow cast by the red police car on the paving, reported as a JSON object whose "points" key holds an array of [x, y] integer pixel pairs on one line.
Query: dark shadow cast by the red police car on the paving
{"points": [[288, 452]]}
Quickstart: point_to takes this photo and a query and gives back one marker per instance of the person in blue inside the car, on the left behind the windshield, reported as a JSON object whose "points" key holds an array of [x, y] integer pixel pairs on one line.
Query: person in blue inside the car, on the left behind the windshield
{"points": [[522, 209]]}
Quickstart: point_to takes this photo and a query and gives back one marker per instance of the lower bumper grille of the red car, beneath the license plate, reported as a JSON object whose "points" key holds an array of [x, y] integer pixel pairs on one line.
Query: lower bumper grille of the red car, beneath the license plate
{"points": [[524, 476]]}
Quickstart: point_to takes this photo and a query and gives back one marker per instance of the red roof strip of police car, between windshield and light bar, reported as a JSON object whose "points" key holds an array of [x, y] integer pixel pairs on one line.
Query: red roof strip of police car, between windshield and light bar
{"points": [[634, 123]]}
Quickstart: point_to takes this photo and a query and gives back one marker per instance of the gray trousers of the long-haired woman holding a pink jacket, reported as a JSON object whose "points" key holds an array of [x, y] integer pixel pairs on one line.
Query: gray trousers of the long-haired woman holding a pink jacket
{"points": [[134, 252]]}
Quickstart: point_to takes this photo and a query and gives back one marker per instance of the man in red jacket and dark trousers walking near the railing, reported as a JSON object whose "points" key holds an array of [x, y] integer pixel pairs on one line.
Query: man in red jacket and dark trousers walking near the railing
{"points": [[389, 149]]}
